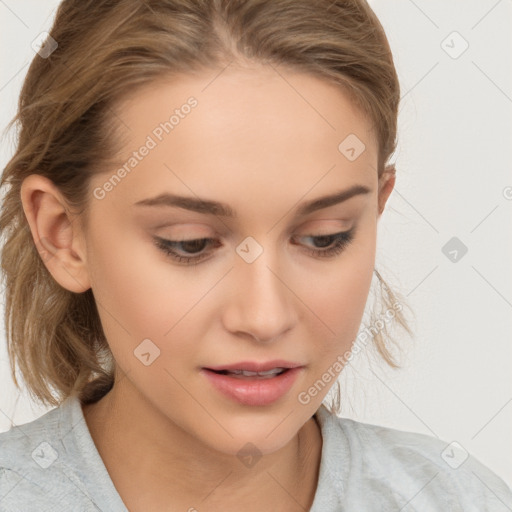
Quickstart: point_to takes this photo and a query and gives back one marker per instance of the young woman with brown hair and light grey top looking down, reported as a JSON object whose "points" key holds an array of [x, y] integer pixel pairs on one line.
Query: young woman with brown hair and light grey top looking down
{"points": [[190, 230]]}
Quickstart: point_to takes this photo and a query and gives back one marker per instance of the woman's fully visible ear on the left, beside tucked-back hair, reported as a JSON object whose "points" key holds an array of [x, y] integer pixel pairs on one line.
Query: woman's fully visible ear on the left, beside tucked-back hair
{"points": [[55, 232]]}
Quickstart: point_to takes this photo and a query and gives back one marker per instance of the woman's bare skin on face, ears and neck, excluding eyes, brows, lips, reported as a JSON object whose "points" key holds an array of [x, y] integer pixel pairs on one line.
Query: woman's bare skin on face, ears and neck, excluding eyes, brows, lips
{"points": [[262, 142]]}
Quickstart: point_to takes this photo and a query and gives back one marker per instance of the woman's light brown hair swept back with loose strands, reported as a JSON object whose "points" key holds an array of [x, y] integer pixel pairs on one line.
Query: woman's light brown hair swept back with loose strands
{"points": [[67, 131]]}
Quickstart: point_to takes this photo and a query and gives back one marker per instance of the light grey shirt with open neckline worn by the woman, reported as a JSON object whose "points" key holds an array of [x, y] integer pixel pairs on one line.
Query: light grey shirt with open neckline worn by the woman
{"points": [[52, 465]]}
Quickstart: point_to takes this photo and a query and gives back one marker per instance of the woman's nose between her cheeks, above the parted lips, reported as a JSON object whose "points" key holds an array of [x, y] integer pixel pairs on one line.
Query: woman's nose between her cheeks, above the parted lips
{"points": [[261, 305]]}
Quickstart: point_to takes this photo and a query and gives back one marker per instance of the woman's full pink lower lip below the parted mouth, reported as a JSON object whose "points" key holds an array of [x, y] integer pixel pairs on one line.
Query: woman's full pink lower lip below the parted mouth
{"points": [[253, 391]]}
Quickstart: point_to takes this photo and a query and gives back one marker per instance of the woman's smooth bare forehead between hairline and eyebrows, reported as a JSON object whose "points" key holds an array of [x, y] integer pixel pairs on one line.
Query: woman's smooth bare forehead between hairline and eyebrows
{"points": [[248, 128]]}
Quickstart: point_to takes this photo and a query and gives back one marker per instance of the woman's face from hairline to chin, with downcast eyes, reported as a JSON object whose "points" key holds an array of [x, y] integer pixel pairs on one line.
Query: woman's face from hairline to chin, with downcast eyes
{"points": [[180, 290]]}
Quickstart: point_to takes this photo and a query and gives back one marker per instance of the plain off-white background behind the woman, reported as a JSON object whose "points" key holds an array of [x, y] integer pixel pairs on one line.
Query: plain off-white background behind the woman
{"points": [[453, 180]]}
